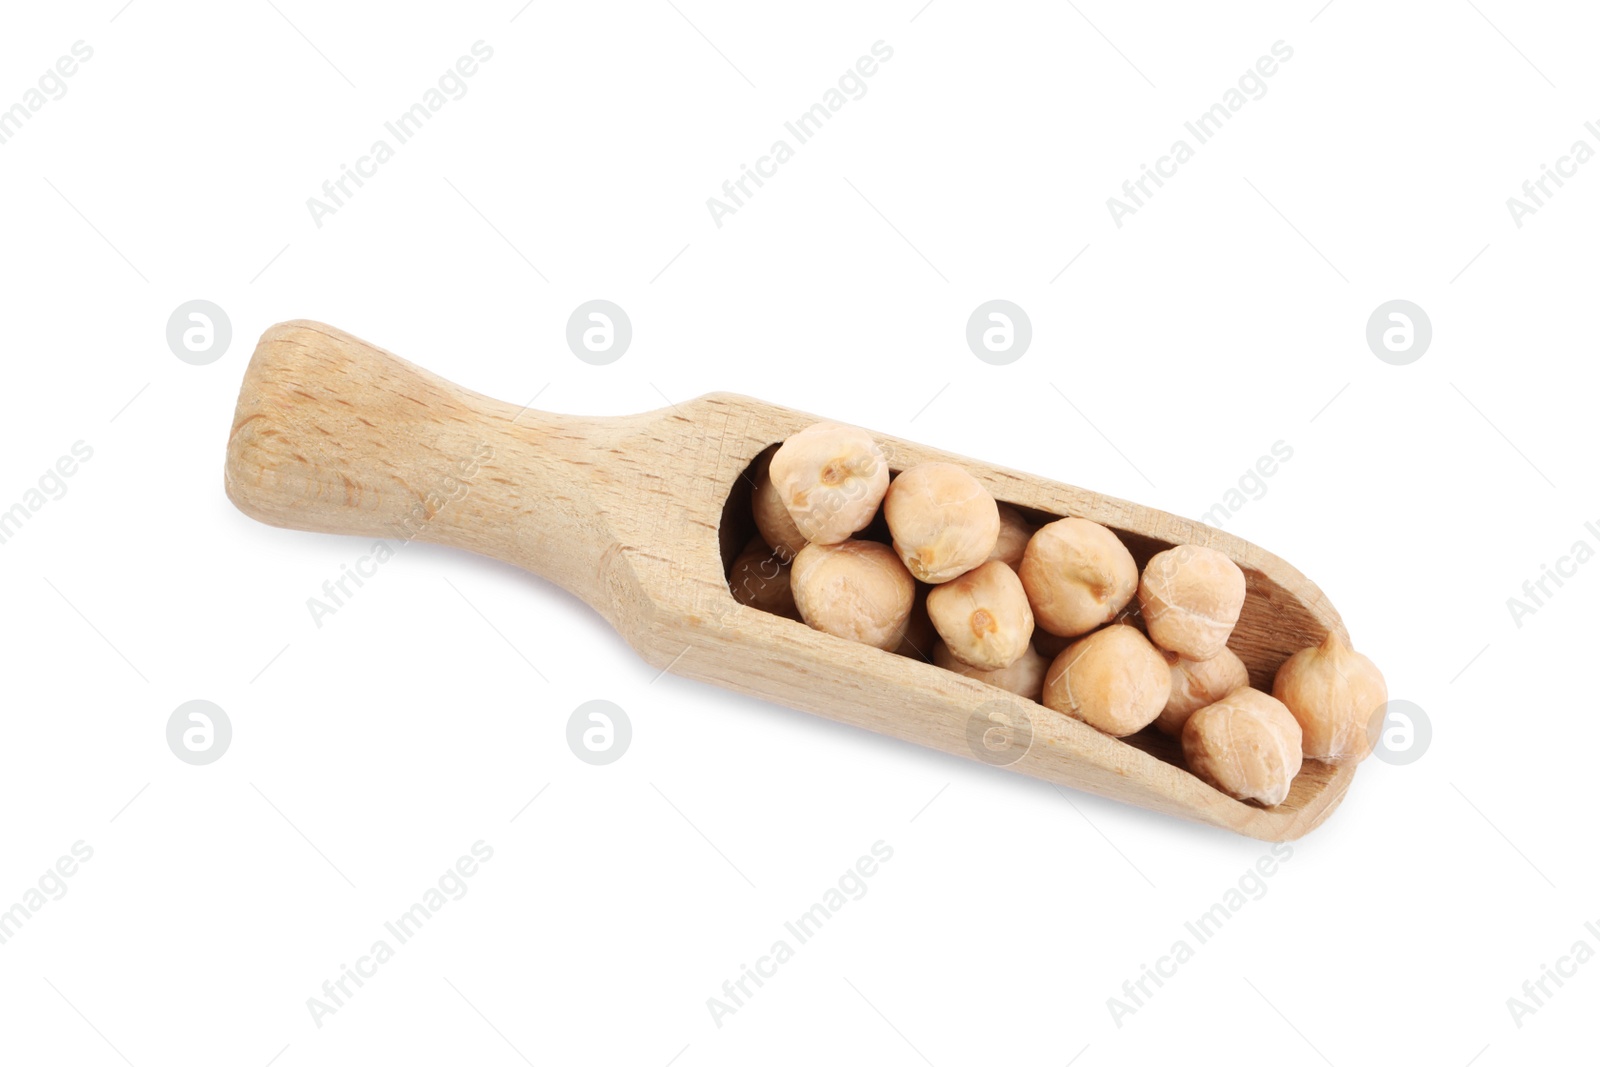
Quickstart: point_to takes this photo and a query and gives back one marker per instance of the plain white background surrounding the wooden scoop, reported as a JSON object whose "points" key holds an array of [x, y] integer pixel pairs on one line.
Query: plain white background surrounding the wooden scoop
{"points": [[370, 754]]}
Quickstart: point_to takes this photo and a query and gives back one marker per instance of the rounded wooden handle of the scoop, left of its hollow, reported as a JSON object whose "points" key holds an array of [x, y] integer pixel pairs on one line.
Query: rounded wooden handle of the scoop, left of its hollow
{"points": [[337, 436]]}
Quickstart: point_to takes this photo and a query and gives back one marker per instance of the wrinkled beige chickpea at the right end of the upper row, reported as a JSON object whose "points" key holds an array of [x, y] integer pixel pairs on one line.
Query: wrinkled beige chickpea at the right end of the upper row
{"points": [[1191, 599]]}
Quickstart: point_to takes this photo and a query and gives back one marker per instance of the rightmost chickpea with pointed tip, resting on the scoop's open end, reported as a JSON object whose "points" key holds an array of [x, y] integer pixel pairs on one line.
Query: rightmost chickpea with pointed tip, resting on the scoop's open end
{"points": [[1335, 695]]}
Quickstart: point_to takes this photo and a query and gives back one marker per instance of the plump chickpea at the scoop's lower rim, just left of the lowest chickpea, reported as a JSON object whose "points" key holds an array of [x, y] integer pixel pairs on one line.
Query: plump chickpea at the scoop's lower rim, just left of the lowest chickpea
{"points": [[1113, 681]]}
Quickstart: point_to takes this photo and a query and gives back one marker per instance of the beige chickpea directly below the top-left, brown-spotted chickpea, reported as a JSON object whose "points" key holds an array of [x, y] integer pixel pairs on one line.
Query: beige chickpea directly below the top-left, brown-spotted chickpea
{"points": [[854, 589]]}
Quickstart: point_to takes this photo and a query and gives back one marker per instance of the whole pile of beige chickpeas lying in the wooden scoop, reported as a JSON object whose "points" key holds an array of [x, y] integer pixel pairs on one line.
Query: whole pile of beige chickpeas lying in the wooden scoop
{"points": [[1060, 613]]}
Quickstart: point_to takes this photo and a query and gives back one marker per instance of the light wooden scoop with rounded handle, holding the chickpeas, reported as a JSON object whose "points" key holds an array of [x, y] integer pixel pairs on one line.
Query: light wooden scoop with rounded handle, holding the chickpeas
{"points": [[641, 518]]}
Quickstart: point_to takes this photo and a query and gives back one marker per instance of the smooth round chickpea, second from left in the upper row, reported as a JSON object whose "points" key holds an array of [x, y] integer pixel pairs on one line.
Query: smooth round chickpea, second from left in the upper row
{"points": [[942, 519]]}
